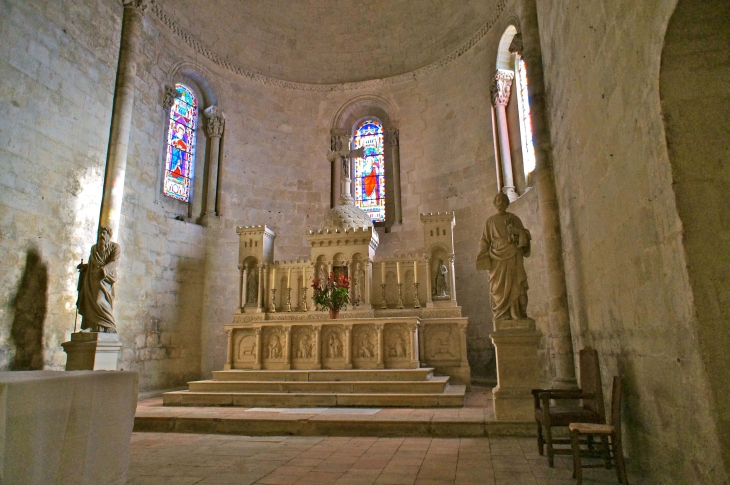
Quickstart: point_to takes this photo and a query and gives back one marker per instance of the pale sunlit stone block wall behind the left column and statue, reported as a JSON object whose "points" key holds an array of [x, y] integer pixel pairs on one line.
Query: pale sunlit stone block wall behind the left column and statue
{"points": [[58, 69]]}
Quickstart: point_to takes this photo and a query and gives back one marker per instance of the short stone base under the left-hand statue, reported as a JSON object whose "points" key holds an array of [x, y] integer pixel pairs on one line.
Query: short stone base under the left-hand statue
{"points": [[92, 351]]}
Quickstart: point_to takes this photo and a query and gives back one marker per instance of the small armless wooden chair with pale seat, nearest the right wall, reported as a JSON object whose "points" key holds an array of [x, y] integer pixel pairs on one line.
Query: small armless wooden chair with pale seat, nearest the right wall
{"points": [[610, 435]]}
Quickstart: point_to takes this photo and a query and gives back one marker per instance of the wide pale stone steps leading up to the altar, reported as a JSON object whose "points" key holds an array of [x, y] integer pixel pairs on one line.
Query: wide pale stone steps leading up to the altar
{"points": [[321, 388]]}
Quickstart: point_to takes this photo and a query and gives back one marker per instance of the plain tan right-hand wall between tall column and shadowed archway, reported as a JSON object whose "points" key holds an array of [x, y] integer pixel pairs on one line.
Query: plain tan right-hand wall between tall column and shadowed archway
{"points": [[630, 293]]}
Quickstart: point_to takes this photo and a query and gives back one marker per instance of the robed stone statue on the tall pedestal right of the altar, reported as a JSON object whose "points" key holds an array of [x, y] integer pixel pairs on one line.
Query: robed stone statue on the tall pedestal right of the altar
{"points": [[501, 250]]}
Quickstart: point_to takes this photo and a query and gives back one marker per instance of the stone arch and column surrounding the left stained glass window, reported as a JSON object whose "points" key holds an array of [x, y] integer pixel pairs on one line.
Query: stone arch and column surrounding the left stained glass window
{"points": [[203, 201]]}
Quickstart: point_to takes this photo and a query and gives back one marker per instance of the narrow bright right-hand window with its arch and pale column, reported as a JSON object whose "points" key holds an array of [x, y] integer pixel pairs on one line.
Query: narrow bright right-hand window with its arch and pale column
{"points": [[511, 117]]}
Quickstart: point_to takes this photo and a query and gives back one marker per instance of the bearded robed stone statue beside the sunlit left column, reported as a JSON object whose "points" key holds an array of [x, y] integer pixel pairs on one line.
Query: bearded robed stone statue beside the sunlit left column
{"points": [[96, 285]]}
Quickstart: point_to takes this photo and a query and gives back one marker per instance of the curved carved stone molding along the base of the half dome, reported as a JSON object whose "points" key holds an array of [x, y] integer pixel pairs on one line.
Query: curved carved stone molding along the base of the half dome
{"points": [[216, 58]]}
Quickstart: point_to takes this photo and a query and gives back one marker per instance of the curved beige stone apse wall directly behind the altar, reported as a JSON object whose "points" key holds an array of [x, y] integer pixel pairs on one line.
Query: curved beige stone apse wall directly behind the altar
{"points": [[274, 171]]}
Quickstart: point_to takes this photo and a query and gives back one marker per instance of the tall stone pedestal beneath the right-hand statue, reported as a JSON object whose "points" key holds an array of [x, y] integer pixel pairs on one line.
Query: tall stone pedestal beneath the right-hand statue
{"points": [[516, 344]]}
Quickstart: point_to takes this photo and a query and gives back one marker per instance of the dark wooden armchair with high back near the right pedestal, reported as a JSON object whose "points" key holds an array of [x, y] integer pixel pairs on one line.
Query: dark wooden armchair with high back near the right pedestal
{"points": [[588, 406]]}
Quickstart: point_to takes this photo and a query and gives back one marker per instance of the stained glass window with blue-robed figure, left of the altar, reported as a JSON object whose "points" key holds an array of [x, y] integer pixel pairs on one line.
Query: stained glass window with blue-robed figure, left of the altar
{"points": [[180, 150]]}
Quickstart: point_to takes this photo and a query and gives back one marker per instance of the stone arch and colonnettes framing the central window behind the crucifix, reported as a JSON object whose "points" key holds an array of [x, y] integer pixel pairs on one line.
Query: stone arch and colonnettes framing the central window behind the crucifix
{"points": [[345, 121]]}
